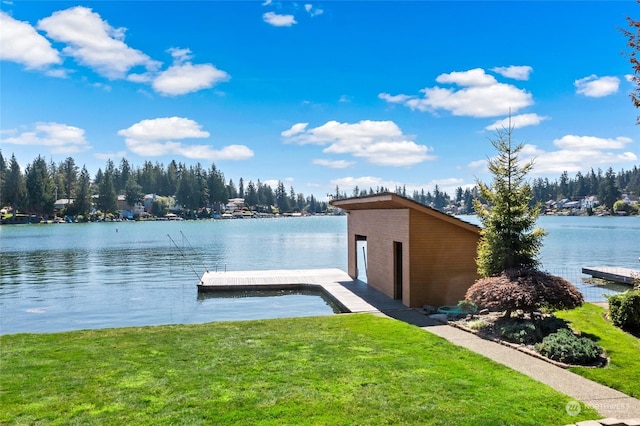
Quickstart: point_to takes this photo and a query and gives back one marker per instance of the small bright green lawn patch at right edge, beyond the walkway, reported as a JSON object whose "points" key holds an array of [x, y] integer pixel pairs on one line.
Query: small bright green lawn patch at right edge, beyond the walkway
{"points": [[623, 349]]}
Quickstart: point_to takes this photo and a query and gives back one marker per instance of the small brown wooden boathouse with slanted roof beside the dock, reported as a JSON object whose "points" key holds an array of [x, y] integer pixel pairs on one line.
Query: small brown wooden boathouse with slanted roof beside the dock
{"points": [[413, 252]]}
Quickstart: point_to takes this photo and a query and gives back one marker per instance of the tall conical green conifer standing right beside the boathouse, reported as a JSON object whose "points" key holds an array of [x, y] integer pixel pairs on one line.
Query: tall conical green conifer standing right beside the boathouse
{"points": [[508, 240]]}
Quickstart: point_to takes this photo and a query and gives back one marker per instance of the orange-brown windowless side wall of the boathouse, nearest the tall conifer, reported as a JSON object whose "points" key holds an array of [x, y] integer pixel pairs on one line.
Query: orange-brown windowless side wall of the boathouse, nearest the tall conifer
{"points": [[442, 261]]}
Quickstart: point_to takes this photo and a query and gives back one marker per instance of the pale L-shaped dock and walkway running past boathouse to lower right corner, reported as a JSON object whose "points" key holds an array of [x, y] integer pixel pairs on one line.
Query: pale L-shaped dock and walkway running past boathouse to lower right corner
{"points": [[357, 296]]}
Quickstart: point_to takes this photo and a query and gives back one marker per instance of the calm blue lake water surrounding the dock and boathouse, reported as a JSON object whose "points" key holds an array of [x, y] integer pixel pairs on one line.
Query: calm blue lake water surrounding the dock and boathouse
{"points": [[98, 275]]}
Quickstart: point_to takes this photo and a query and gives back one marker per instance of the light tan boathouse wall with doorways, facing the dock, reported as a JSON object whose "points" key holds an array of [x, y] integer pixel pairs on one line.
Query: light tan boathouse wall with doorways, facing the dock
{"points": [[381, 228]]}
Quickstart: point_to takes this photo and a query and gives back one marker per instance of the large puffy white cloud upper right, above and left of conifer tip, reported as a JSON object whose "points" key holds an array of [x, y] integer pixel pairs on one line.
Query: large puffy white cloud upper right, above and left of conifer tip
{"points": [[480, 95]]}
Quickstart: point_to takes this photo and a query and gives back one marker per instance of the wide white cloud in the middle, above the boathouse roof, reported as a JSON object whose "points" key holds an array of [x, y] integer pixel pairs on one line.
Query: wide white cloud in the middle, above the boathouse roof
{"points": [[379, 142]]}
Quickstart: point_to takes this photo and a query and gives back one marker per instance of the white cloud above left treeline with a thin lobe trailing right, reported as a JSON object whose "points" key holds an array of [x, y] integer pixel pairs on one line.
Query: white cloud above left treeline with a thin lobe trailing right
{"points": [[156, 137]]}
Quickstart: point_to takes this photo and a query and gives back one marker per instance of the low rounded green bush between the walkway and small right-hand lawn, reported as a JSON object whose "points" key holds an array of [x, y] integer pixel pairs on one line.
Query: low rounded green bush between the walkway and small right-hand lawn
{"points": [[564, 346]]}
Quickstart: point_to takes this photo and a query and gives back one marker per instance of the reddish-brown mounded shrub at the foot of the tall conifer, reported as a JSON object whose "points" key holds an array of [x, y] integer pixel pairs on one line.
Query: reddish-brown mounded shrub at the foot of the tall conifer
{"points": [[524, 289]]}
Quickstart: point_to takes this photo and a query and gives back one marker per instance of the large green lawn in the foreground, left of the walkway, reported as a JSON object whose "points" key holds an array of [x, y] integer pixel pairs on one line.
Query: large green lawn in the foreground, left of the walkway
{"points": [[342, 369]]}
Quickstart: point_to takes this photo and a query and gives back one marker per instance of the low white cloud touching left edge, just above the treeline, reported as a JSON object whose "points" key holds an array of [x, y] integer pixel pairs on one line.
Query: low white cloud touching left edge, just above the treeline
{"points": [[59, 138]]}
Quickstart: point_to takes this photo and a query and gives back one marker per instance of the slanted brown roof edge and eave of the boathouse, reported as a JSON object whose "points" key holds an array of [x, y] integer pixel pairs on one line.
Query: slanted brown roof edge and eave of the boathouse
{"points": [[389, 200]]}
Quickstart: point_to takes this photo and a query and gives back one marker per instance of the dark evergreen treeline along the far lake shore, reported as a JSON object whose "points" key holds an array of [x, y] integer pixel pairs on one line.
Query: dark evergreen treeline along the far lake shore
{"points": [[195, 191]]}
